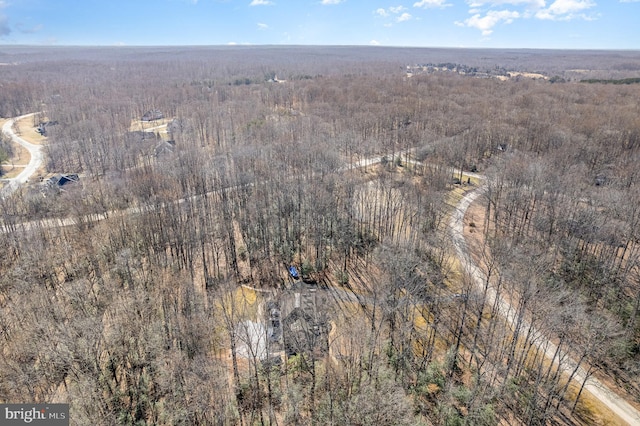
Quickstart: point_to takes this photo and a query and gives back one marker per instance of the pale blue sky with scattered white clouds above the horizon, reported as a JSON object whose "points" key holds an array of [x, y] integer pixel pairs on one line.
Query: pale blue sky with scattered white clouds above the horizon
{"points": [[553, 24]]}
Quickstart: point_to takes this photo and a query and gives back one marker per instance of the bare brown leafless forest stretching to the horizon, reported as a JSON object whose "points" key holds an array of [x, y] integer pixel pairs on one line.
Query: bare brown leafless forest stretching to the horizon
{"points": [[141, 318]]}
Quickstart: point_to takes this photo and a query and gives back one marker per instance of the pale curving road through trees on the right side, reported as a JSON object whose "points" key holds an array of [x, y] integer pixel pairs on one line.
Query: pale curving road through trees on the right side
{"points": [[598, 389]]}
